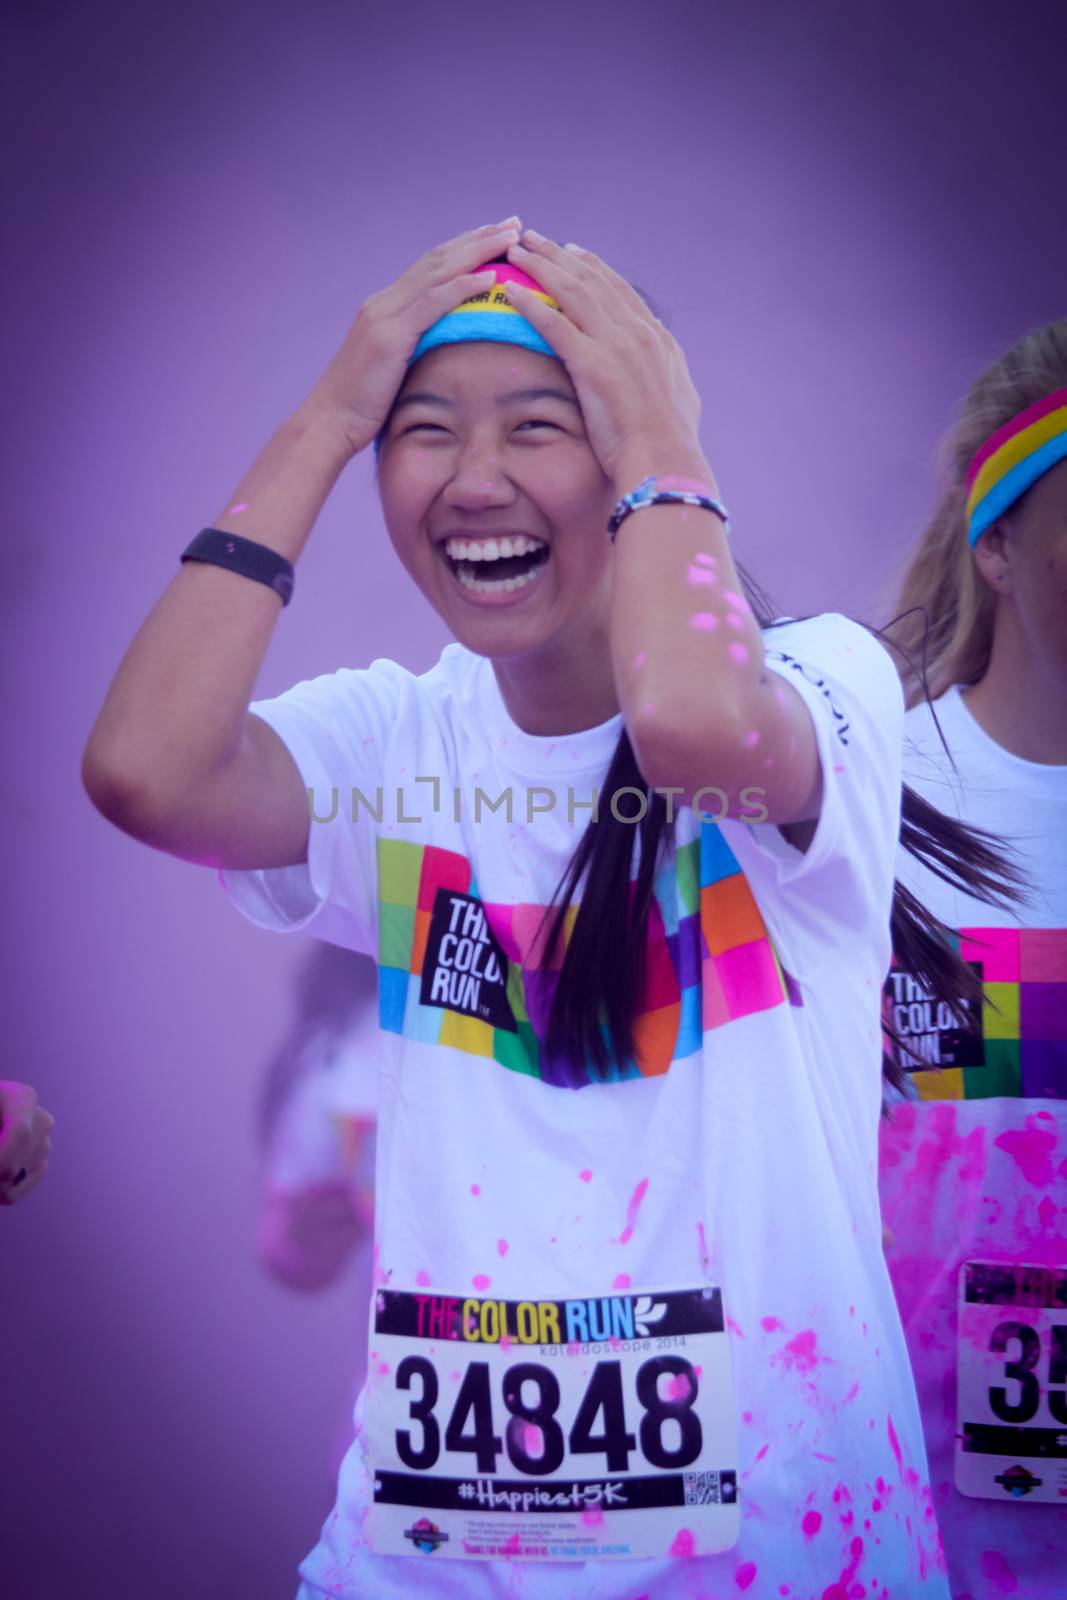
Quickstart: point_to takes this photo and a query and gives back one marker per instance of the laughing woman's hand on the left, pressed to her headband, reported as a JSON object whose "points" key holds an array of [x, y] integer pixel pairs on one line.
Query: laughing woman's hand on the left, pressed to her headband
{"points": [[364, 378]]}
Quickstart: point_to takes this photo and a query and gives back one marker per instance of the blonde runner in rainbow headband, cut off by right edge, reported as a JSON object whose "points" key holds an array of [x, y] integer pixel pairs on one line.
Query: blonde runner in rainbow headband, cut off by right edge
{"points": [[975, 1162]]}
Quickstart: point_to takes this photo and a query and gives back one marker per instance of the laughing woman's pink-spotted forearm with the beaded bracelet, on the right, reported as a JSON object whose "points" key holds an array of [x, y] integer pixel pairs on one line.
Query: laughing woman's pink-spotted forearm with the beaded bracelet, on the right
{"points": [[685, 646]]}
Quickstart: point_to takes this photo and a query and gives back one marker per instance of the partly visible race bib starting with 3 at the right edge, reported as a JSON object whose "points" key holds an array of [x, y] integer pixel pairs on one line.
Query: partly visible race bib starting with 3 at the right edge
{"points": [[1012, 1383]]}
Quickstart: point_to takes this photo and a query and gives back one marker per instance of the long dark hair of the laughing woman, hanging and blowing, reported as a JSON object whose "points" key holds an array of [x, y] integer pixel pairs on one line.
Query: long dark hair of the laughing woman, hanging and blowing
{"points": [[591, 1025]]}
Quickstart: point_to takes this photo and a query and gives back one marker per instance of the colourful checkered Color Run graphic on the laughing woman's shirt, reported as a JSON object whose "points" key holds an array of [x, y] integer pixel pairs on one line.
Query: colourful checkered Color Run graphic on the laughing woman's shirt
{"points": [[455, 970]]}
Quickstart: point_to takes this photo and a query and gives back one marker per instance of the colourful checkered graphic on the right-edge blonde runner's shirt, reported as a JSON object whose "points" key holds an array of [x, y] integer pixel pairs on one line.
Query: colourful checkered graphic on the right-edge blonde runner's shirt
{"points": [[1021, 1046]]}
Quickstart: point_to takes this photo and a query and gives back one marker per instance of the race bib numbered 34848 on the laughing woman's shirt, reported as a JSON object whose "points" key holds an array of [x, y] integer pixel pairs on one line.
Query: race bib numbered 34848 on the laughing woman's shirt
{"points": [[553, 1431]]}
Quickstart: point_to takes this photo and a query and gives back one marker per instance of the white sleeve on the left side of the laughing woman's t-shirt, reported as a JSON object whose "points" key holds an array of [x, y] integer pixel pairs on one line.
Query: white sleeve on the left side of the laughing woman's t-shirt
{"points": [[337, 729]]}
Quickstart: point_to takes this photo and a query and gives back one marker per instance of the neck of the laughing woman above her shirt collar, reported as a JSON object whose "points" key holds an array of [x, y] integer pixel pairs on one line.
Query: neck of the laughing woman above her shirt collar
{"points": [[559, 692]]}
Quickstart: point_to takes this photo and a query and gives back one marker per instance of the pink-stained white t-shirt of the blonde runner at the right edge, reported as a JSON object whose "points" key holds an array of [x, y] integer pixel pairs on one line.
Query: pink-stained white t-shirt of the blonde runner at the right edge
{"points": [[975, 1166]]}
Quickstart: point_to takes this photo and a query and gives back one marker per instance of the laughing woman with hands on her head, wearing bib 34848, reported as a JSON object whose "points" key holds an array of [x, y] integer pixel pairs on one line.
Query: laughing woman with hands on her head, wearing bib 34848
{"points": [[709, 983]]}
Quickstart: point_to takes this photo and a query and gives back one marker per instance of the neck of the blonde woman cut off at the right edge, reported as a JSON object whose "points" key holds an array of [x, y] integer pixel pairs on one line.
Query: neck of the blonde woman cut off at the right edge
{"points": [[1021, 703]]}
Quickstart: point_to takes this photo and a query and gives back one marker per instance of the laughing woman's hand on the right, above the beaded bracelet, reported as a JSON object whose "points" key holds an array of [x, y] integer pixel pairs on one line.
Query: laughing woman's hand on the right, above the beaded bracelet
{"points": [[629, 374]]}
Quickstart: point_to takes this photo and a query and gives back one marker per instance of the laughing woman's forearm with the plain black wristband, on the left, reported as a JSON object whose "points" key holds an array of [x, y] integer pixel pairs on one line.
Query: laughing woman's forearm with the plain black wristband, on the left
{"points": [[178, 703]]}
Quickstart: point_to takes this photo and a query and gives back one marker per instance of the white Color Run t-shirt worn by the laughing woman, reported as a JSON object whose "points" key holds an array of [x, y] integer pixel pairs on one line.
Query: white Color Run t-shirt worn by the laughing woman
{"points": [[741, 1156]]}
